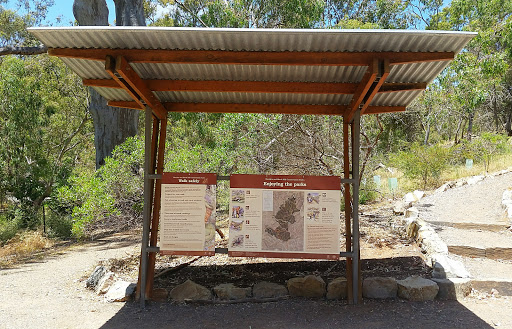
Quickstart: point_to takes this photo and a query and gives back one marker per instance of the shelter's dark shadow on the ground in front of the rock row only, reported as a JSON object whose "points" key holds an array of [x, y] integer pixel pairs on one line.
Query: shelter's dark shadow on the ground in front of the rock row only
{"points": [[299, 313]]}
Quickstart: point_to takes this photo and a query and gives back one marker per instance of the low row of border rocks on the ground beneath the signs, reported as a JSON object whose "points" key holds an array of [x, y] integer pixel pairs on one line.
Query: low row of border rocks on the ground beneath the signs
{"points": [[413, 288]]}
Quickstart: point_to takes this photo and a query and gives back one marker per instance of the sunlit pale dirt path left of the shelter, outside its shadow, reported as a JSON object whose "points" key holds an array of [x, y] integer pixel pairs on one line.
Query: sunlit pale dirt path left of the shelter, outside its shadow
{"points": [[49, 294]]}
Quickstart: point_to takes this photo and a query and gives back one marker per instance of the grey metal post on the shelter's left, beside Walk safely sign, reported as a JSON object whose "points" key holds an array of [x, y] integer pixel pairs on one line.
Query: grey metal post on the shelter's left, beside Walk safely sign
{"points": [[147, 205]]}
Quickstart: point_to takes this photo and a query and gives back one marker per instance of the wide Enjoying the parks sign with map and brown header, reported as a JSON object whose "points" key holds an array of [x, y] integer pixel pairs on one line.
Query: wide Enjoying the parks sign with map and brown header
{"points": [[285, 216]]}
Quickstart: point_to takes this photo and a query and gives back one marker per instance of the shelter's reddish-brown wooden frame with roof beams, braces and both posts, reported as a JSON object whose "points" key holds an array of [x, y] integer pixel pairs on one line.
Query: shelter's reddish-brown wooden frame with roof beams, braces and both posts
{"points": [[142, 91]]}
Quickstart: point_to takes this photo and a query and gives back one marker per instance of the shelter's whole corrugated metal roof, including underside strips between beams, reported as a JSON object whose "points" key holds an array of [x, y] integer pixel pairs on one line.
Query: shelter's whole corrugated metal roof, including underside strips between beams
{"points": [[292, 40]]}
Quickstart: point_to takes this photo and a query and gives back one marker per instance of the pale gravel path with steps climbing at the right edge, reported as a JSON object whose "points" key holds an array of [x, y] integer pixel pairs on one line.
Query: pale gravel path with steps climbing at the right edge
{"points": [[471, 221]]}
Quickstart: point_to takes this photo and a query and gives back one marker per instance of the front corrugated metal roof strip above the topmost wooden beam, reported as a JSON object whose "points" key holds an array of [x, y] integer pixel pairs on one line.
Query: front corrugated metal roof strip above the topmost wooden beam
{"points": [[333, 40]]}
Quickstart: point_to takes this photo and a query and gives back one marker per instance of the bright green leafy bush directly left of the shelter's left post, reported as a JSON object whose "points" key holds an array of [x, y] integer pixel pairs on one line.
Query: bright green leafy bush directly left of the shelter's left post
{"points": [[111, 196]]}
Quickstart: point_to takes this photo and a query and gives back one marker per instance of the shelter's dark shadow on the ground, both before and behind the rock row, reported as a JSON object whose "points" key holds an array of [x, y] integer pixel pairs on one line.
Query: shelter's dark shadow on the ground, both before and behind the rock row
{"points": [[296, 312]]}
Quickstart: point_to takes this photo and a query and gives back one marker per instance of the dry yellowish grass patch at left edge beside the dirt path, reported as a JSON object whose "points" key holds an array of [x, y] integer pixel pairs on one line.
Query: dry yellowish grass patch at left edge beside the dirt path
{"points": [[24, 245]]}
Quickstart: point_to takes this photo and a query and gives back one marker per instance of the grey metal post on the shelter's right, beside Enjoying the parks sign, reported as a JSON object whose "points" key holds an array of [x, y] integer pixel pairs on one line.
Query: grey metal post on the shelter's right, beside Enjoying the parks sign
{"points": [[355, 205]]}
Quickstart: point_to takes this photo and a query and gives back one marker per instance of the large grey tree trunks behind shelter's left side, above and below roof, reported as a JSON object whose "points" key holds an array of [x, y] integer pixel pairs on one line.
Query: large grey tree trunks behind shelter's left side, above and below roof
{"points": [[111, 125]]}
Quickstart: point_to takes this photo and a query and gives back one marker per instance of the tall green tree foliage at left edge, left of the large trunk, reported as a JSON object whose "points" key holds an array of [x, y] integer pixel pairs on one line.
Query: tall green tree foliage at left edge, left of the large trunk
{"points": [[44, 120]]}
